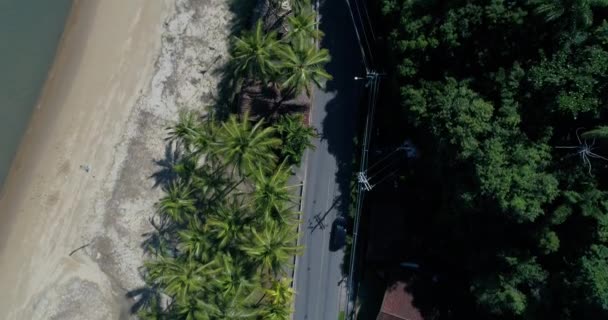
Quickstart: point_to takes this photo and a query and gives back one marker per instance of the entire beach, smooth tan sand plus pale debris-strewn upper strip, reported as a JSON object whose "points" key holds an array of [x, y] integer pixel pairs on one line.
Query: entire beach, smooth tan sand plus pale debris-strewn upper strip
{"points": [[84, 175]]}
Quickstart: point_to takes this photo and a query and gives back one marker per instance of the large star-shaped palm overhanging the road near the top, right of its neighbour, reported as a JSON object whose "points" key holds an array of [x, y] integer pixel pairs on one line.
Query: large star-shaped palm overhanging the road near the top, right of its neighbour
{"points": [[303, 65]]}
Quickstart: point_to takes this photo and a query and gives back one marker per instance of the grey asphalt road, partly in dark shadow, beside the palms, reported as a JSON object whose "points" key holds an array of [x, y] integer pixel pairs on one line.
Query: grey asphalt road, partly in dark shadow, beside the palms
{"points": [[318, 276]]}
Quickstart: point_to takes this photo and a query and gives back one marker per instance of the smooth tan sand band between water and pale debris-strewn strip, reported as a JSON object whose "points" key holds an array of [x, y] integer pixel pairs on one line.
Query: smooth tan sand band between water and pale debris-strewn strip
{"points": [[72, 124]]}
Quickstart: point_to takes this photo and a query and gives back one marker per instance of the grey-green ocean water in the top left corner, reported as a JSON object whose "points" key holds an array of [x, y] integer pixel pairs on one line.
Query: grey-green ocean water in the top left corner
{"points": [[30, 31]]}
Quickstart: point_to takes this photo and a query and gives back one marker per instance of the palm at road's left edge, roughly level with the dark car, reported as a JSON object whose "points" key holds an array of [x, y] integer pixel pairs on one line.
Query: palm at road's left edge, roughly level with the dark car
{"points": [[272, 248]]}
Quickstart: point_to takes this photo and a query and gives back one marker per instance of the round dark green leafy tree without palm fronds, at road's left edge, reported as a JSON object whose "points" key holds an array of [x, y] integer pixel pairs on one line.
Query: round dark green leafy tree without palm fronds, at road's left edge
{"points": [[296, 137]]}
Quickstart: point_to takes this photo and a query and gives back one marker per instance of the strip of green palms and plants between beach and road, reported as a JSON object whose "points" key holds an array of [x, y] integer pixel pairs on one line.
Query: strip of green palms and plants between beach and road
{"points": [[226, 228]]}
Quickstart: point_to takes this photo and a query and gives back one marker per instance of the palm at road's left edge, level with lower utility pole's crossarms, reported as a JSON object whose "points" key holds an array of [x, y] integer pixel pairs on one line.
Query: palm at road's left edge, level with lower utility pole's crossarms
{"points": [[271, 192]]}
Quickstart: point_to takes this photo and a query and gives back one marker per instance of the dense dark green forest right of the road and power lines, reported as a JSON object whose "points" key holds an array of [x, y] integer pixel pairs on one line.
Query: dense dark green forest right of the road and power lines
{"points": [[510, 189]]}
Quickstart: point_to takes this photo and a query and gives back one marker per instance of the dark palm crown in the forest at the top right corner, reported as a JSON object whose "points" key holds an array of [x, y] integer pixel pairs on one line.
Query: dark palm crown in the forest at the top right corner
{"points": [[575, 13]]}
